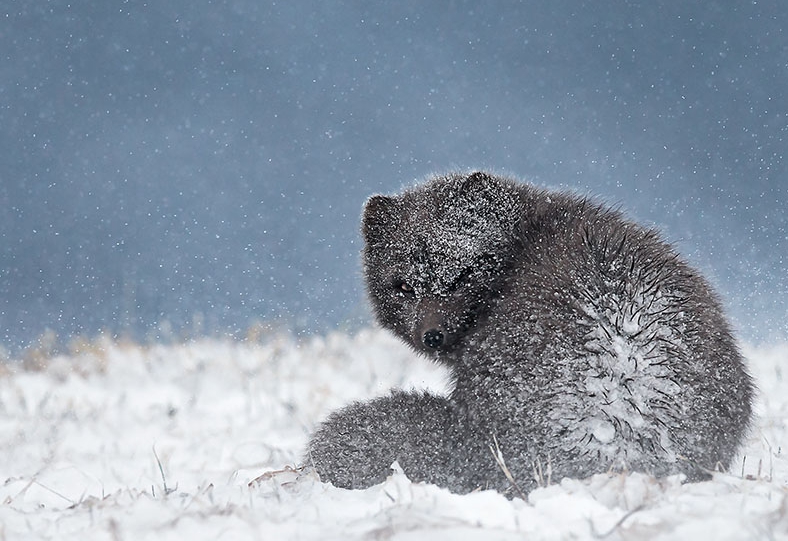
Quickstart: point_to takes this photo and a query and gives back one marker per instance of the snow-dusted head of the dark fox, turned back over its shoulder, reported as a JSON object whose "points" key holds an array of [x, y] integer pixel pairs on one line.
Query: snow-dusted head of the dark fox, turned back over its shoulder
{"points": [[435, 256]]}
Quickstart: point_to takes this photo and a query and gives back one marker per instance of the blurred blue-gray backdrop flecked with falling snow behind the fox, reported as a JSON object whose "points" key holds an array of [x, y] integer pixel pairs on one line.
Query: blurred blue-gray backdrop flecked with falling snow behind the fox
{"points": [[197, 166]]}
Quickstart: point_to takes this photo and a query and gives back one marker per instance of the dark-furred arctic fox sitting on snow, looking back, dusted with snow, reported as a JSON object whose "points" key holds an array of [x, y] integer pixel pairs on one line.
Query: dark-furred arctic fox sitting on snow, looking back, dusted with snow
{"points": [[578, 343]]}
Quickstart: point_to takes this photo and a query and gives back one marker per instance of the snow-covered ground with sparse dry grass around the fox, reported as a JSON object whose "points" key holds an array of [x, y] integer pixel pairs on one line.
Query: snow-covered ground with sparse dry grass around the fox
{"points": [[196, 441]]}
